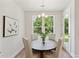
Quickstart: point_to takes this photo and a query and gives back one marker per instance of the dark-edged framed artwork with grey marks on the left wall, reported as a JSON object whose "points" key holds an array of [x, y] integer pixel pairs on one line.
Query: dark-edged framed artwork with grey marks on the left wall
{"points": [[10, 26]]}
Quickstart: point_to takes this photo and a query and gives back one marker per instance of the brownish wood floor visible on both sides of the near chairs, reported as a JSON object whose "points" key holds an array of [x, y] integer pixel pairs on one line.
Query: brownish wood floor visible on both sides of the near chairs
{"points": [[64, 54]]}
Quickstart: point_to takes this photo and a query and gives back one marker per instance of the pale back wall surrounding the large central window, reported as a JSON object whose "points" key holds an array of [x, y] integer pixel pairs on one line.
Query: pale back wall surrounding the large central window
{"points": [[57, 20]]}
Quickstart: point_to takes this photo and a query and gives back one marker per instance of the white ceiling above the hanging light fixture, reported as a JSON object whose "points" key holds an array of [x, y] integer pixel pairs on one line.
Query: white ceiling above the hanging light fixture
{"points": [[50, 5]]}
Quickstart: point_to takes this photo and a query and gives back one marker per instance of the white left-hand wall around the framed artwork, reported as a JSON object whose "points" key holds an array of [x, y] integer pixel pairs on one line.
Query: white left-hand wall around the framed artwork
{"points": [[10, 46]]}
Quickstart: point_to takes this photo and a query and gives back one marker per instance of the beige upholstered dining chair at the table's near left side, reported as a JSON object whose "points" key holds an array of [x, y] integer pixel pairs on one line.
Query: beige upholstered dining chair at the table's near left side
{"points": [[28, 49]]}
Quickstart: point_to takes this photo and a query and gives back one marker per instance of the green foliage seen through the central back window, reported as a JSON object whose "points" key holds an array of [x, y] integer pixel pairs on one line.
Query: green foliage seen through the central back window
{"points": [[48, 25]]}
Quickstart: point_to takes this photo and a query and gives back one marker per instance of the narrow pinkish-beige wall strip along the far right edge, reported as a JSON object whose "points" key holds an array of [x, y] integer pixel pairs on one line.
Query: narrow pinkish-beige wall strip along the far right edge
{"points": [[76, 28]]}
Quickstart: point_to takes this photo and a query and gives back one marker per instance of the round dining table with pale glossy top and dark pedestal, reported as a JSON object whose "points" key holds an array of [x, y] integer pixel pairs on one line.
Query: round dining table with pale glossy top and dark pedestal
{"points": [[39, 46]]}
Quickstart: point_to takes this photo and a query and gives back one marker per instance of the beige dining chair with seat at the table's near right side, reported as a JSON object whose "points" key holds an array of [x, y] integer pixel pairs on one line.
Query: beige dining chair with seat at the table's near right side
{"points": [[55, 54]]}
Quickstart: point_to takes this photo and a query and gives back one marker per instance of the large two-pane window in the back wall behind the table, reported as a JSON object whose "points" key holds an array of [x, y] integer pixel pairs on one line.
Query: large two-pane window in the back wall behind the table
{"points": [[46, 22]]}
